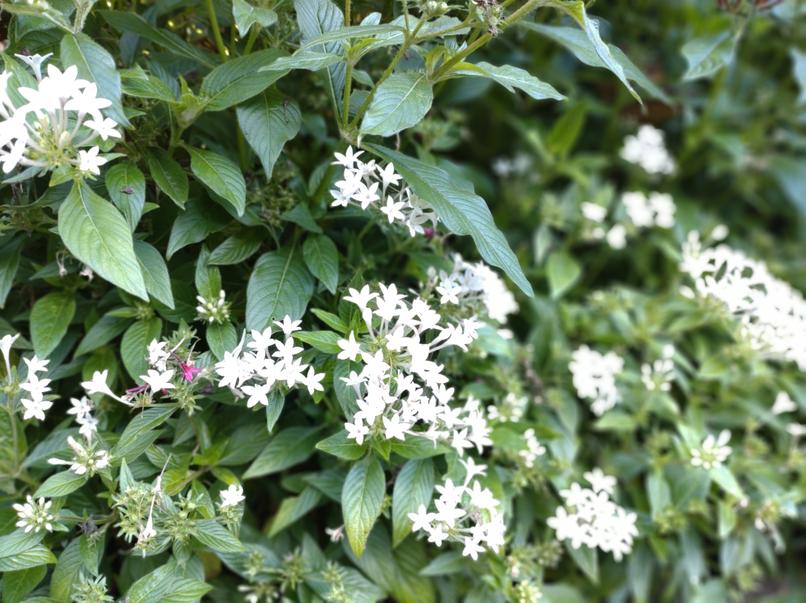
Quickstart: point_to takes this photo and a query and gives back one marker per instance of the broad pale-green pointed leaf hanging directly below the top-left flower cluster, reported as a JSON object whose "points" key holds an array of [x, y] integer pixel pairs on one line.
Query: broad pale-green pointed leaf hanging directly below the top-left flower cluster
{"points": [[95, 232]]}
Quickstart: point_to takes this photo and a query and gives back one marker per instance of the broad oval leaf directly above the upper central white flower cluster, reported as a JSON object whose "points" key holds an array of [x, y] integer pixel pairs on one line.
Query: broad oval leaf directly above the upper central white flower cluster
{"points": [[400, 102]]}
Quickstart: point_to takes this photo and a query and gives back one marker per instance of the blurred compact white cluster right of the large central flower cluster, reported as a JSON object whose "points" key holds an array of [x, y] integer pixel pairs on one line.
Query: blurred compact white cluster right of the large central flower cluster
{"points": [[594, 376]]}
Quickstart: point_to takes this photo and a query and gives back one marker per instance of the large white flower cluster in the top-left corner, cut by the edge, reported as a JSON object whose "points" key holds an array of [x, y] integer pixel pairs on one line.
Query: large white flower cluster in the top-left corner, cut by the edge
{"points": [[61, 117]]}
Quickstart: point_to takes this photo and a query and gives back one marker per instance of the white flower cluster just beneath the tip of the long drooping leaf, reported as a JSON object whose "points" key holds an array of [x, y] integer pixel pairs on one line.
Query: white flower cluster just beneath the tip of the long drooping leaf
{"points": [[474, 285]]}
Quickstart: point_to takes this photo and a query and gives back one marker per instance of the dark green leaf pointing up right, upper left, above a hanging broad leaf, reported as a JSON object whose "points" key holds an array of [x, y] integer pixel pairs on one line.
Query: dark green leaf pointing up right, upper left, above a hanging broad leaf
{"points": [[240, 79]]}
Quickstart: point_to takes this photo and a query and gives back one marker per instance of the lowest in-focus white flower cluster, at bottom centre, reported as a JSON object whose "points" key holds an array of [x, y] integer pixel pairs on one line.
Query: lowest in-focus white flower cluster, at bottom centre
{"points": [[466, 513]]}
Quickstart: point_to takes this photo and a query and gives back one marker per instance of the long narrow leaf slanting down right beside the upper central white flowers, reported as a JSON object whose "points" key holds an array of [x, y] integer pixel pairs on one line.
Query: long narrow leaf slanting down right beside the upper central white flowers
{"points": [[461, 210]]}
